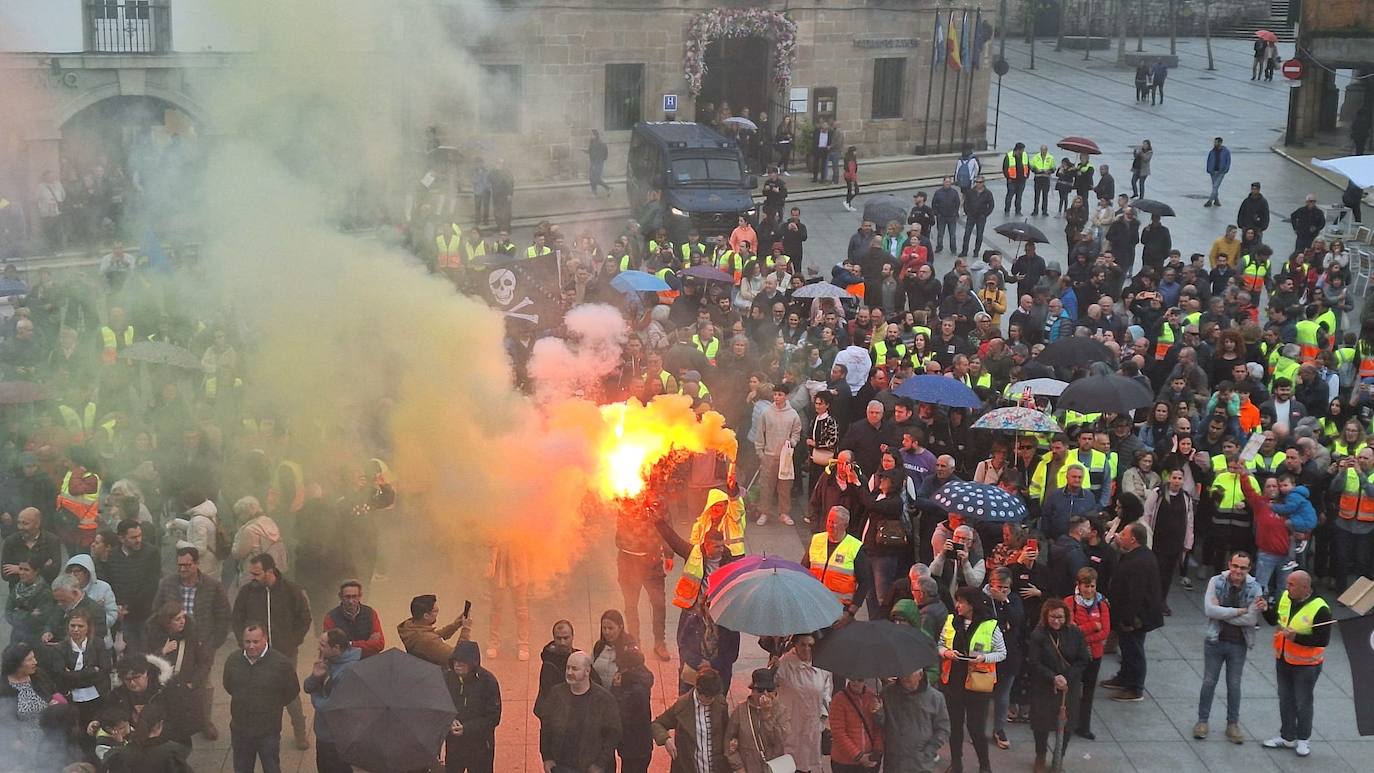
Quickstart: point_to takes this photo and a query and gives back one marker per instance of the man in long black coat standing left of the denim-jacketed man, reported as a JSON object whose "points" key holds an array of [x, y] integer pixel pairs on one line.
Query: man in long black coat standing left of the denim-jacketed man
{"points": [[1137, 610]]}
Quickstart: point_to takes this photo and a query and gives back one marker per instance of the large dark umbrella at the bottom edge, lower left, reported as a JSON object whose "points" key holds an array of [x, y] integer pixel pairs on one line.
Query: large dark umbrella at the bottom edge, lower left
{"points": [[391, 713]]}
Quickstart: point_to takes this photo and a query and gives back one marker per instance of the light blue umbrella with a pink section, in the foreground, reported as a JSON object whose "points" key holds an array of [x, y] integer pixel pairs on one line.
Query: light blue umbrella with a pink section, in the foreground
{"points": [[776, 602]]}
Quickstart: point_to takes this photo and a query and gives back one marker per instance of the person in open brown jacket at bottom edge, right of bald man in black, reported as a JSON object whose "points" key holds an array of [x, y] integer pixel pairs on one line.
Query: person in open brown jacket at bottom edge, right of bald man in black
{"points": [[704, 708]]}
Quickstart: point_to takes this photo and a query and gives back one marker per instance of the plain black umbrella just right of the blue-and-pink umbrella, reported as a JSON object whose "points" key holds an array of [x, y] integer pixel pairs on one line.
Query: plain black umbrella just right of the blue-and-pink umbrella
{"points": [[875, 650]]}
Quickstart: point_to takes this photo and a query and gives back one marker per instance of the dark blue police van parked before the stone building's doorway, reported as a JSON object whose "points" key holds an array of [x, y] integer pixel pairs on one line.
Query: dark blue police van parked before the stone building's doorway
{"points": [[696, 175]]}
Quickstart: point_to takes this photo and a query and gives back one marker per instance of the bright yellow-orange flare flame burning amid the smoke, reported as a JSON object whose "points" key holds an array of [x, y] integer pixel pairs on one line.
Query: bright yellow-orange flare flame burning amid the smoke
{"points": [[640, 436]]}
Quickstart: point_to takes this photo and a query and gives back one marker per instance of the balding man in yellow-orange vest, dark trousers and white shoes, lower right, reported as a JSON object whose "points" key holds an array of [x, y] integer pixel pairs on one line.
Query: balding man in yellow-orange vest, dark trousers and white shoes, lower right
{"points": [[1303, 620]]}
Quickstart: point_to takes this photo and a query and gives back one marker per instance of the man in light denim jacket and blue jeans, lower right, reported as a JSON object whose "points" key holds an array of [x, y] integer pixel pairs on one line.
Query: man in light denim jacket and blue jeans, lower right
{"points": [[1233, 606]]}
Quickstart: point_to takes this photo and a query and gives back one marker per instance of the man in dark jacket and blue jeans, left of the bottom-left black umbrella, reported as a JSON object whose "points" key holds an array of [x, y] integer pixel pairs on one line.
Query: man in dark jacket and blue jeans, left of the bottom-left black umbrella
{"points": [[260, 683]]}
